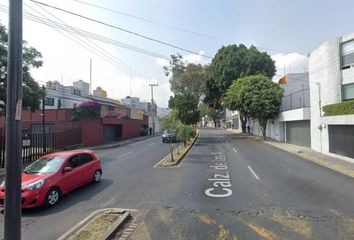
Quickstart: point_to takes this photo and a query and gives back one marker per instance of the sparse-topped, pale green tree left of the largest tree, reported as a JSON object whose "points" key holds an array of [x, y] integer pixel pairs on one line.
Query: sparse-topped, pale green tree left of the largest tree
{"points": [[185, 78]]}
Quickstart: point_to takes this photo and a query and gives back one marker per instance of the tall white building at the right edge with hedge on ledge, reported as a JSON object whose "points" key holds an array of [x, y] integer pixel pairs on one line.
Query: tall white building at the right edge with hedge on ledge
{"points": [[331, 73]]}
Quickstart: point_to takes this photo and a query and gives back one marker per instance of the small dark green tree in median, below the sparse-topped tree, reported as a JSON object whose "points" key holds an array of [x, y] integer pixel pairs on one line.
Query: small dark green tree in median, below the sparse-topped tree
{"points": [[186, 106]]}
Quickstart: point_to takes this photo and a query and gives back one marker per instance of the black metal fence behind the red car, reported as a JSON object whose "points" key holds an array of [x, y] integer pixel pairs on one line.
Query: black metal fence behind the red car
{"points": [[35, 145]]}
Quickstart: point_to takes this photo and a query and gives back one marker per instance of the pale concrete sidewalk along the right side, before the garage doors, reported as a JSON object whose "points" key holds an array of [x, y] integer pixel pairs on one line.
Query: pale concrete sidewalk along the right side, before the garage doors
{"points": [[336, 164]]}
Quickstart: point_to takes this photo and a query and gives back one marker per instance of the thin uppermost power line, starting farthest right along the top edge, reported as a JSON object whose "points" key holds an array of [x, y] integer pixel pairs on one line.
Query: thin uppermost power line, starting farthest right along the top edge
{"points": [[149, 20]]}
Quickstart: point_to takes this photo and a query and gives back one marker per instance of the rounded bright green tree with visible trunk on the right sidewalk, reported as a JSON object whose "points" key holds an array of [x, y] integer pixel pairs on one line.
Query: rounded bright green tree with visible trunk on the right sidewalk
{"points": [[257, 96]]}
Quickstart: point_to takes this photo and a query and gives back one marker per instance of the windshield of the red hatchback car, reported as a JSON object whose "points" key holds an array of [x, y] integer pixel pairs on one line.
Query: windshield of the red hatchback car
{"points": [[45, 165]]}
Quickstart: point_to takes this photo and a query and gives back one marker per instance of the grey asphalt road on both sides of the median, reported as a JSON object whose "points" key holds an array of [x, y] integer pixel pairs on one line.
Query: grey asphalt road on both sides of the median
{"points": [[228, 187]]}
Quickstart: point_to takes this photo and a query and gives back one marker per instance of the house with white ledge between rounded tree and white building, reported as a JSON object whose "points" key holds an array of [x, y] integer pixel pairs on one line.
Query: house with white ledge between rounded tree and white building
{"points": [[293, 122]]}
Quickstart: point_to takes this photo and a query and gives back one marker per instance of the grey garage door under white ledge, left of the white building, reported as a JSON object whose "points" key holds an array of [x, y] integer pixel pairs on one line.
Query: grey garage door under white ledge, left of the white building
{"points": [[298, 132]]}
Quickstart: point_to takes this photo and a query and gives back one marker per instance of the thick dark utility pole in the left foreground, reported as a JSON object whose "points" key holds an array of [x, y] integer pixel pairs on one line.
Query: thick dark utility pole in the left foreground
{"points": [[13, 158]]}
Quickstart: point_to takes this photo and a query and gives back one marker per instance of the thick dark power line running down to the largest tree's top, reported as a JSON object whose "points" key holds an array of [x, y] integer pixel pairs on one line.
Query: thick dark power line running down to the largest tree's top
{"points": [[122, 29]]}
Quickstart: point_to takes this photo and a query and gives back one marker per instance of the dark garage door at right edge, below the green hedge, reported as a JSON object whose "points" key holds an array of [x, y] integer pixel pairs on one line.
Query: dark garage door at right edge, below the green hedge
{"points": [[341, 139]]}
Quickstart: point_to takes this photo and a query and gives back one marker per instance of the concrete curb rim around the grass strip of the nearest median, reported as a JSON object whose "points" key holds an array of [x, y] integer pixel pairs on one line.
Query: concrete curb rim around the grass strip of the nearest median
{"points": [[106, 234]]}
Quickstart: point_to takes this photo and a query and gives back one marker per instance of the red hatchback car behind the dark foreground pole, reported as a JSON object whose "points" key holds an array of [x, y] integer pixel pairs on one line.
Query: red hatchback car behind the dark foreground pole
{"points": [[55, 174]]}
